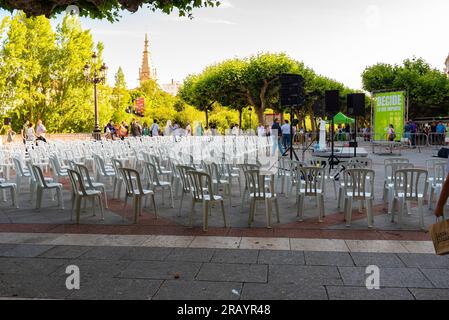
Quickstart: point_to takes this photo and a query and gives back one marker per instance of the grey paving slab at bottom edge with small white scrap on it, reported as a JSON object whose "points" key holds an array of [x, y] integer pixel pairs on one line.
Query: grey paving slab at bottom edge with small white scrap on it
{"points": [[198, 290]]}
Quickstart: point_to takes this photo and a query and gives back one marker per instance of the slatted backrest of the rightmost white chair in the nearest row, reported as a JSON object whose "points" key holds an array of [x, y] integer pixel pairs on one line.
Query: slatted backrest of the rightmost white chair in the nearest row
{"points": [[411, 182]]}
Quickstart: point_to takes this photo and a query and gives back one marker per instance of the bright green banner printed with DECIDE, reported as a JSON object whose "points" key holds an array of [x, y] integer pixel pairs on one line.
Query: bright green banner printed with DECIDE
{"points": [[389, 108]]}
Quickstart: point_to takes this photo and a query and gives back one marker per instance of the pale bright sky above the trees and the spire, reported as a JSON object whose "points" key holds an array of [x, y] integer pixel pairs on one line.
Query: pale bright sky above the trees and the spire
{"points": [[337, 38]]}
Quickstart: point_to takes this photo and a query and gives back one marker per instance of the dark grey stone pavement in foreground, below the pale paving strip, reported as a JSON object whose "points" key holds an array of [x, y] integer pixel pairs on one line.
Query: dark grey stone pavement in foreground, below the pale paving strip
{"points": [[141, 273]]}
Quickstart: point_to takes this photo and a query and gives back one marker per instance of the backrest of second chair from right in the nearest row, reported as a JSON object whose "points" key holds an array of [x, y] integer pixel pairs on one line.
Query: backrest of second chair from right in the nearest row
{"points": [[359, 182]]}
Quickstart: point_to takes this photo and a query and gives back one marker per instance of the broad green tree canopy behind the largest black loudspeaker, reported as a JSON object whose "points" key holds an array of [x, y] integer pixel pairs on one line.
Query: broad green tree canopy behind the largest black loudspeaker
{"points": [[254, 81]]}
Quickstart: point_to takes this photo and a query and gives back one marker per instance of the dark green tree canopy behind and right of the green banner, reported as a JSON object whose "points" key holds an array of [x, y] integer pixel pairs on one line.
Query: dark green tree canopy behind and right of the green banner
{"points": [[428, 88]]}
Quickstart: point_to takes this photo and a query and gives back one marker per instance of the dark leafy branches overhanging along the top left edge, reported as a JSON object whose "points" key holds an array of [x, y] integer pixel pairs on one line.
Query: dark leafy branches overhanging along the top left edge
{"points": [[104, 9]]}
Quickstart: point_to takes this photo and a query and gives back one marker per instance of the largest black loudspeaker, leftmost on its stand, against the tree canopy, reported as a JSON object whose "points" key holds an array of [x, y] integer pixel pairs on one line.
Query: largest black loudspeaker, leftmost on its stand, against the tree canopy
{"points": [[292, 90]]}
